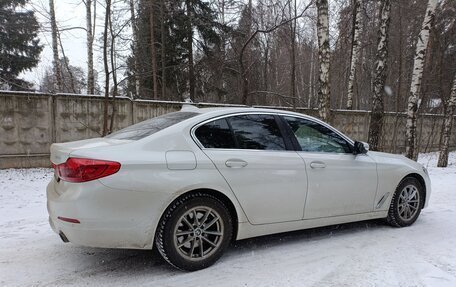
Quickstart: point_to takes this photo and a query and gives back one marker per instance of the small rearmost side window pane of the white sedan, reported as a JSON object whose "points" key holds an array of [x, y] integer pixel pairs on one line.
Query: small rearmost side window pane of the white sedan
{"points": [[215, 134]]}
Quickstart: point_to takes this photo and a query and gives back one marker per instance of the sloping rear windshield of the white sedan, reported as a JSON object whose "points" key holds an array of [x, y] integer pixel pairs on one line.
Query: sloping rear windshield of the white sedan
{"points": [[148, 127]]}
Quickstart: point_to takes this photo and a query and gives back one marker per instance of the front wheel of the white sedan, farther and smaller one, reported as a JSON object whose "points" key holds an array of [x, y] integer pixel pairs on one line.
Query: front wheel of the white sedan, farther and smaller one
{"points": [[407, 202]]}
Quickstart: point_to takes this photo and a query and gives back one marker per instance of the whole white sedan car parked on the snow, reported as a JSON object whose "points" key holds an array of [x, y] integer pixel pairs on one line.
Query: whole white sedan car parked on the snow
{"points": [[193, 181]]}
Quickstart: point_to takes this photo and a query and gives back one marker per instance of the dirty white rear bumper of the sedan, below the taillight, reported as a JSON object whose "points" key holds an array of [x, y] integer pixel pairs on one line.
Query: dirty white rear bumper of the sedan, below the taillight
{"points": [[108, 218]]}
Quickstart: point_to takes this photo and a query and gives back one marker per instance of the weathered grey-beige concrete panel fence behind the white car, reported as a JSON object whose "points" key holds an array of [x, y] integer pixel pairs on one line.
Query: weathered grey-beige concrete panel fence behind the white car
{"points": [[31, 122]]}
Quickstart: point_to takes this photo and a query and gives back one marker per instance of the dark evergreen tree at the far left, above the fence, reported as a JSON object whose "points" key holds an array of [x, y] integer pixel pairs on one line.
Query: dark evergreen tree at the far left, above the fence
{"points": [[19, 45]]}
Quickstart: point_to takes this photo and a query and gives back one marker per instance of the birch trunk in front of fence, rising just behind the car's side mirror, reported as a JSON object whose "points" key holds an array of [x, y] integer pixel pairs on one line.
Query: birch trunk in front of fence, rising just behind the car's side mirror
{"points": [[376, 123]]}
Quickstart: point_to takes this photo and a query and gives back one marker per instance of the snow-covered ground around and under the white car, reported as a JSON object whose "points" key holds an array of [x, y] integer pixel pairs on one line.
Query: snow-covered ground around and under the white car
{"points": [[358, 254]]}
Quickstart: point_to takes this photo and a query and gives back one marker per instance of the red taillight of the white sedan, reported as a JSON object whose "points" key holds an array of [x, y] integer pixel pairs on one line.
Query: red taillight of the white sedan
{"points": [[83, 169]]}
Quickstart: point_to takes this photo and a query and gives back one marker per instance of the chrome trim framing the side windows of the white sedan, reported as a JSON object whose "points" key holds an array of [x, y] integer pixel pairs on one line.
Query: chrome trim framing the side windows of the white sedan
{"points": [[282, 114]]}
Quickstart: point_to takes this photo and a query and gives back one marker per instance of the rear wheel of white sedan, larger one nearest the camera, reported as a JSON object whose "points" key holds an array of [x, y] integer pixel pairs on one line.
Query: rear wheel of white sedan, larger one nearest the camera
{"points": [[194, 232]]}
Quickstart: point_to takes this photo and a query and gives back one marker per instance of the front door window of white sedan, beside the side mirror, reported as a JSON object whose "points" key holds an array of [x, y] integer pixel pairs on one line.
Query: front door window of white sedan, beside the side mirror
{"points": [[313, 137]]}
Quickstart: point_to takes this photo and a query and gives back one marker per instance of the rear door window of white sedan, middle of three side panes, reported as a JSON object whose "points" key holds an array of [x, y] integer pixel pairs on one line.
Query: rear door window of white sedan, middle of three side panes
{"points": [[257, 132]]}
